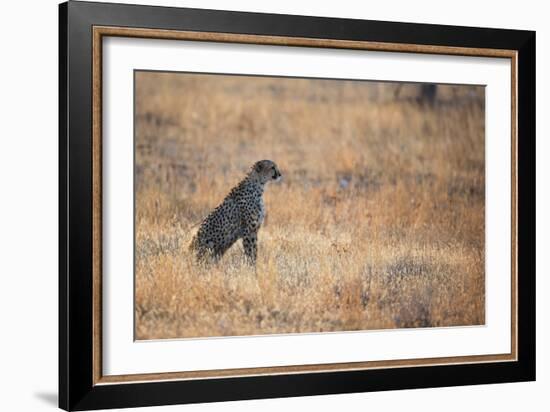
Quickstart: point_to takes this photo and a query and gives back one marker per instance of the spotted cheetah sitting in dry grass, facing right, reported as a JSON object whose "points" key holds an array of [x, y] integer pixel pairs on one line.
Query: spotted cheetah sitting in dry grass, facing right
{"points": [[239, 216]]}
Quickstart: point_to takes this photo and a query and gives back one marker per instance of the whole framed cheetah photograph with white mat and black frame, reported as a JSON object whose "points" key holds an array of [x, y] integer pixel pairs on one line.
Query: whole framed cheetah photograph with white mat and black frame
{"points": [[256, 205]]}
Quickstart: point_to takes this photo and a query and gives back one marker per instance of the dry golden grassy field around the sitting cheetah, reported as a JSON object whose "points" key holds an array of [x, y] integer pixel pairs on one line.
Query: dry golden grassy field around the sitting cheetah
{"points": [[378, 222]]}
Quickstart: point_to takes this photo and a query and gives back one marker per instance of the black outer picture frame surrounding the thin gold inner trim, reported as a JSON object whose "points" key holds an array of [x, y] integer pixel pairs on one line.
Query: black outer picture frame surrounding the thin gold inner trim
{"points": [[77, 390]]}
